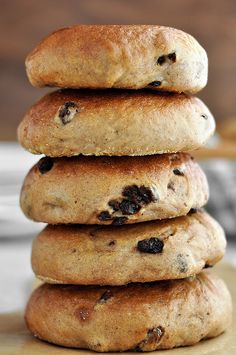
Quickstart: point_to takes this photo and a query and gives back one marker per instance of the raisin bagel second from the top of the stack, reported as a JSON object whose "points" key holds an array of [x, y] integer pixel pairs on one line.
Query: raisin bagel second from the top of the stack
{"points": [[115, 123]]}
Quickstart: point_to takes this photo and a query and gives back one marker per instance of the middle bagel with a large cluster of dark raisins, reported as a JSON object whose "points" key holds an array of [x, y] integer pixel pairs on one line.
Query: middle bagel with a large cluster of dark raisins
{"points": [[118, 190]]}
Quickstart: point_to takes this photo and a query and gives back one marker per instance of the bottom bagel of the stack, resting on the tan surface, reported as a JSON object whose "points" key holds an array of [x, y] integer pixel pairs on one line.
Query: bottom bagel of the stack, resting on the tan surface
{"points": [[141, 317]]}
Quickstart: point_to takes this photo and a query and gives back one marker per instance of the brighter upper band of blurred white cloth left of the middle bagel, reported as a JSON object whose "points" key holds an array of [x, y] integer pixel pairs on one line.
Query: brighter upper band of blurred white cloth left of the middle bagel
{"points": [[14, 165]]}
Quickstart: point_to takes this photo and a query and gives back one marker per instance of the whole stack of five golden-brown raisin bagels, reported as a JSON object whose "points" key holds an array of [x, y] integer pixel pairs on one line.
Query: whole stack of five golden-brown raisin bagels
{"points": [[127, 239]]}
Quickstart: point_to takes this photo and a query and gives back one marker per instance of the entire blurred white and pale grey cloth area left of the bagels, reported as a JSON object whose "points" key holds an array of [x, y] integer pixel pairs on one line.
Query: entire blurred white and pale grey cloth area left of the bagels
{"points": [[16, 232]]}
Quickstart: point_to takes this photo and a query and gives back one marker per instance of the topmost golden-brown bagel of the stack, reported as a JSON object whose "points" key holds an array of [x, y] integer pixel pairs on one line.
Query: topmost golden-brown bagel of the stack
{"points": [[119, 56]]}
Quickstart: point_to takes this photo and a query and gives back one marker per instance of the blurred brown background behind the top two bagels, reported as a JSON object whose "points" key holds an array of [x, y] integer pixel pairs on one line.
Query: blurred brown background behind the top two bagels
{"points": [[24, 22]]}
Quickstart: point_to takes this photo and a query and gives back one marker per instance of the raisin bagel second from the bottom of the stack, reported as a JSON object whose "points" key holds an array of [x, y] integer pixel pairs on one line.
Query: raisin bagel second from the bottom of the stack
{"points": [[151, 251]]}
